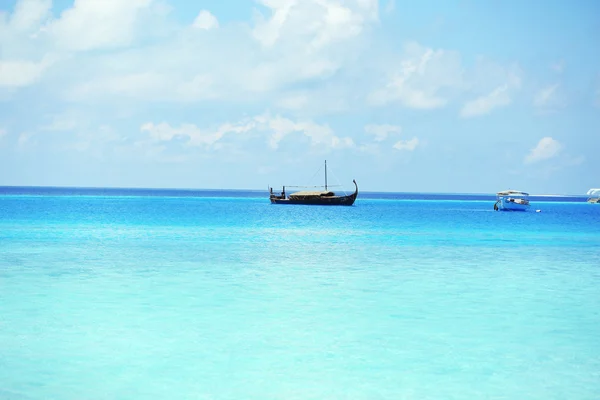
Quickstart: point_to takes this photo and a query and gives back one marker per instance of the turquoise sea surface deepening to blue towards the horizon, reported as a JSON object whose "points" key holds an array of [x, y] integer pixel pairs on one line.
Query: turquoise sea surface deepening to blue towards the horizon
{"points": [[173, 294]]}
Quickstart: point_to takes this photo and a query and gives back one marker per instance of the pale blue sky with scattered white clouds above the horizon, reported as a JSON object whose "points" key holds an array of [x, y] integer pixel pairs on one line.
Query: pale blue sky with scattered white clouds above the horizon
{"points": [[461, 96]]}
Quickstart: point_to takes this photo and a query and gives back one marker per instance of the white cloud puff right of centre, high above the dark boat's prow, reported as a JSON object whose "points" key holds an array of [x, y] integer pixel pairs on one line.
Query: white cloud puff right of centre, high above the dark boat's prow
{"points": [[420, 78]]}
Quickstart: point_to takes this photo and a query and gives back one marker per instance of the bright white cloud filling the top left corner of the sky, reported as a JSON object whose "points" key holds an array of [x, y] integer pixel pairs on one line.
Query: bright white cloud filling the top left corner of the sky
{"points": [[30, 34]]}
